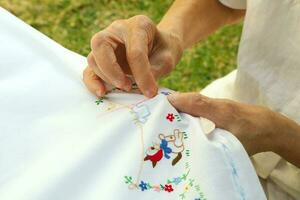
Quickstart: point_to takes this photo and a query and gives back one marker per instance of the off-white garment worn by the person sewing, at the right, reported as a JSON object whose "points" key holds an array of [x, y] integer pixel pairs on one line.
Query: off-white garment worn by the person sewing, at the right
{"points": [[268, 74]]}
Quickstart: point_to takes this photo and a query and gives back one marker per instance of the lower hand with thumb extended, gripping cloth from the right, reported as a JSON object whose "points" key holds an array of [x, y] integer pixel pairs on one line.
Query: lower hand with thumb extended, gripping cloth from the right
{"points": [[258, 129]]}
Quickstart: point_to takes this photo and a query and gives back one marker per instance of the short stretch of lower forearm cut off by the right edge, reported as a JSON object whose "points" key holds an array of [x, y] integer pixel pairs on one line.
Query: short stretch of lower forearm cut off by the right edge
{"points": [[287, 139]]}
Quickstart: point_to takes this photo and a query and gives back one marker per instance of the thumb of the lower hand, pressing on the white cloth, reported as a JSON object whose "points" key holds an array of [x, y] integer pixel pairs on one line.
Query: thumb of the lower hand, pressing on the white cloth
{"points": [[195, 104]]}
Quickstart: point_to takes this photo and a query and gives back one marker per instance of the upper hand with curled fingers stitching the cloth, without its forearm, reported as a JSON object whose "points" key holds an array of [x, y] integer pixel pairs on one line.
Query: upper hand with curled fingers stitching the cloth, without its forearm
{"points": [[134, 46]]}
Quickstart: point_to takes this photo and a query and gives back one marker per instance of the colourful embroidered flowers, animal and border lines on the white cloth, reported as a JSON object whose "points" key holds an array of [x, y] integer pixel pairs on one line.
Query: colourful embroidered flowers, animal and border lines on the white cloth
{"points": [[170, 147]]}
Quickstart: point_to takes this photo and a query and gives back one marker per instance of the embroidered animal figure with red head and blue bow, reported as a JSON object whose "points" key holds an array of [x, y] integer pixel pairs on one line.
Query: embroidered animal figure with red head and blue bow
{"points": [[169, 144]]}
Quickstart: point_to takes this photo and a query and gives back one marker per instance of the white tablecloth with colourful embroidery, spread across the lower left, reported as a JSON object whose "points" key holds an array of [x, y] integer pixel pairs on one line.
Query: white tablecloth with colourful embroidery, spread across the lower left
{"points": [[57, 143]]}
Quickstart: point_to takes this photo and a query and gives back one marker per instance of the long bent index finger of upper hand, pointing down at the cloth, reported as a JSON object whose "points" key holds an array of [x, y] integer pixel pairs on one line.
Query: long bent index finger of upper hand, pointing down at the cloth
{"points": [[137, 57]]}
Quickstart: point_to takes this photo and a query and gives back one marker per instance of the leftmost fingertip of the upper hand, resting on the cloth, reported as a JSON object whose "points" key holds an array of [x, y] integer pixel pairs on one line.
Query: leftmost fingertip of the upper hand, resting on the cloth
{"points": [[93, 82]]}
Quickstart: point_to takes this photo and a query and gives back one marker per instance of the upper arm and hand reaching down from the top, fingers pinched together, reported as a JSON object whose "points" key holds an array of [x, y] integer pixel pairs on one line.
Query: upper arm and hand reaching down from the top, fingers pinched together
{"points": [[137, 47]]}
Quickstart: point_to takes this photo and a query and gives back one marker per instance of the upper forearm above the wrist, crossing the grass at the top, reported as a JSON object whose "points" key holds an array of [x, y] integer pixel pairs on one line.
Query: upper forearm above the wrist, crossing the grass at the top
{"points": [[193, 20]]}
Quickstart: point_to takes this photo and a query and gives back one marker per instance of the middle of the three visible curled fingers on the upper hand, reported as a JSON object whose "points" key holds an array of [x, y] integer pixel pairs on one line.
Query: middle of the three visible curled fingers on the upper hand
{"points": [[103, 48]]}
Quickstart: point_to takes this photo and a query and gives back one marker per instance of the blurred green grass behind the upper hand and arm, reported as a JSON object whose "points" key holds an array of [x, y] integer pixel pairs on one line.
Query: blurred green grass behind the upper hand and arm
{"points": [[73, 22]]}
